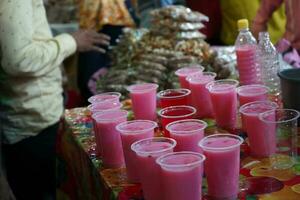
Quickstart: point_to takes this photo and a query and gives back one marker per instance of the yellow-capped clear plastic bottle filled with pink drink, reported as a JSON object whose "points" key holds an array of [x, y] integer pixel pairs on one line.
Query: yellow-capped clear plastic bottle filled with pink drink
{"points": [[246, 52]]}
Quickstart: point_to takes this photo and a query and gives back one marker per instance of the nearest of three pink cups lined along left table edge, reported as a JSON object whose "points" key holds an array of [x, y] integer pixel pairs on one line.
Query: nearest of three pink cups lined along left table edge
{"points": [[109, 138]]}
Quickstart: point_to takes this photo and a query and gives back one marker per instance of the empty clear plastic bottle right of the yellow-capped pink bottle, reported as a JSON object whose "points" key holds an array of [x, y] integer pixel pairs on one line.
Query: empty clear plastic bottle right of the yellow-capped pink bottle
{"points": [[269, 64]]}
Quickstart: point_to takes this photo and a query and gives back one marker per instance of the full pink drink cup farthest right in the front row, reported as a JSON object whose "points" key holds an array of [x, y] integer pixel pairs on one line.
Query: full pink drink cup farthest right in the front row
{"points": [[222, 164]]}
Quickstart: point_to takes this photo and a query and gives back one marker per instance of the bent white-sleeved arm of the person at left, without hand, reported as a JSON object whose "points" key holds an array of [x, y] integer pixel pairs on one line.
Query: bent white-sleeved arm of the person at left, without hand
{"points": [[22, 54]]}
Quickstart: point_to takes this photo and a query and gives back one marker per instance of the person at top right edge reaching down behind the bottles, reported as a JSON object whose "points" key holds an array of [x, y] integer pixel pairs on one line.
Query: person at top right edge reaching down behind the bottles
{"points": [[289, 45]]}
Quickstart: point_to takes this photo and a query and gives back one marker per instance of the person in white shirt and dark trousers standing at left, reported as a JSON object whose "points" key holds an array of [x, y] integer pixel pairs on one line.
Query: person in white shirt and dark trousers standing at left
{"points": [[31, 101]]}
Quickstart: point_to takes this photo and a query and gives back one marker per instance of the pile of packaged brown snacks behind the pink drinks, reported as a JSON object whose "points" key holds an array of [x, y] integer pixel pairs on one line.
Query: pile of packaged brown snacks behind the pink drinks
{"points": [[153, 55]]}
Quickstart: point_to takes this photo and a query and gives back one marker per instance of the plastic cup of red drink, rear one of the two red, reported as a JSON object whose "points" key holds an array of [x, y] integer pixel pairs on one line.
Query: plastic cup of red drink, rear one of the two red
{"points": [[173, 97]]}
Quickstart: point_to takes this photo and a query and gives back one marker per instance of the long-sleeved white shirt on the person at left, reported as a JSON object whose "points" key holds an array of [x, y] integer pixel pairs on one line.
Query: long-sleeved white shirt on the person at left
{"points": [[30, 77]]}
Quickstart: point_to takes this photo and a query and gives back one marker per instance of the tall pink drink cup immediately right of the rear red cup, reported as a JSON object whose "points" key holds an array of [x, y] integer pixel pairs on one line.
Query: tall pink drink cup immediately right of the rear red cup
{"points": [[200, 94]]}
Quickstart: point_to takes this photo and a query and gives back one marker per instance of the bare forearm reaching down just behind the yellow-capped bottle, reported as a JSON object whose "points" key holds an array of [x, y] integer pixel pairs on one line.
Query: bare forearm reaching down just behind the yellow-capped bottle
{"points": [[264, 13]]}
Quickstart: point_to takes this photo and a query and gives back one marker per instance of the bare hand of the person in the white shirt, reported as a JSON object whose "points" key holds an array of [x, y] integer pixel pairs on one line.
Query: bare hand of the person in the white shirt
{"points": [[89, 40]]}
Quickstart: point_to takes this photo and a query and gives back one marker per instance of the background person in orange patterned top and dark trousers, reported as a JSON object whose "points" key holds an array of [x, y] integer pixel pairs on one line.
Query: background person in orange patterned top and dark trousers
{"points": [[104, 16]]}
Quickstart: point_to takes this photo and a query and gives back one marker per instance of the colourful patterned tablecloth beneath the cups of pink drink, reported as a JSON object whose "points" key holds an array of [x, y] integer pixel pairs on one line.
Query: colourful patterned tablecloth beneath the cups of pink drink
{"points": [[81, 175]]}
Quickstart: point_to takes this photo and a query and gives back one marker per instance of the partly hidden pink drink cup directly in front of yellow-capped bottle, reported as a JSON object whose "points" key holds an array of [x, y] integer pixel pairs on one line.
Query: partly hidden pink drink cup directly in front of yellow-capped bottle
{"points": [[250, 93]]}
